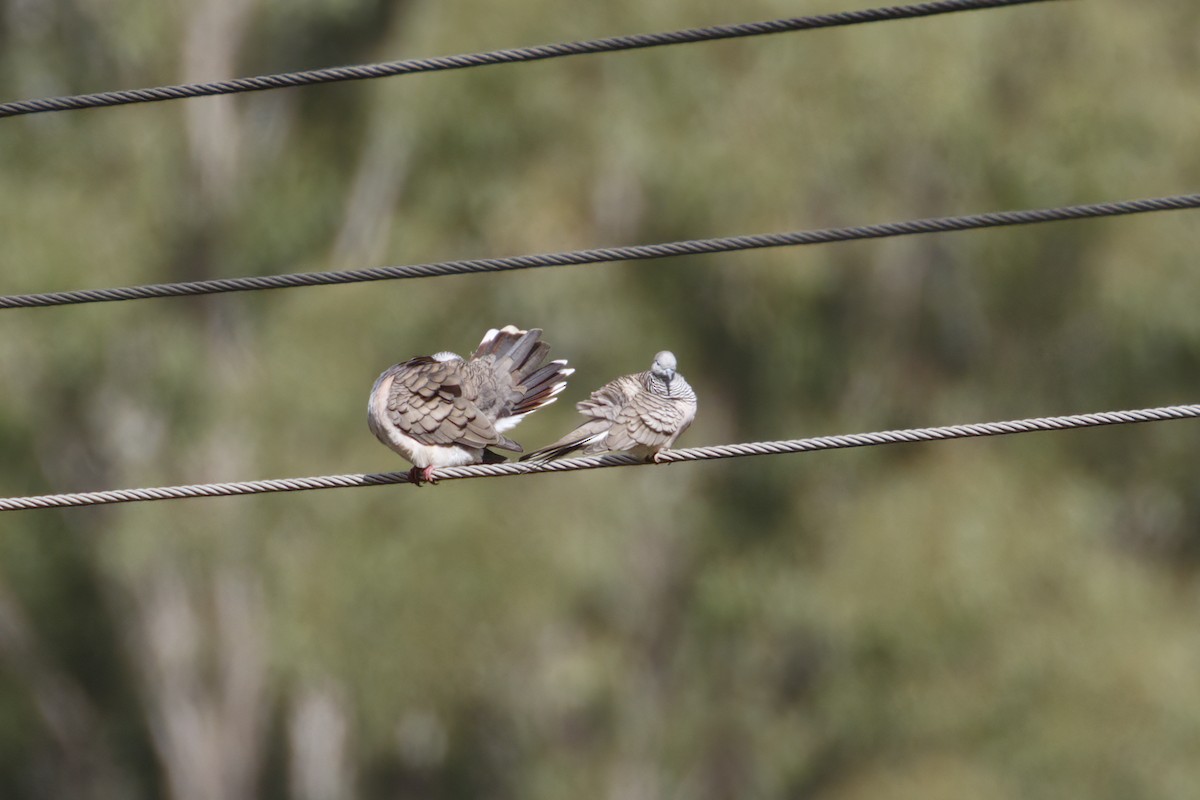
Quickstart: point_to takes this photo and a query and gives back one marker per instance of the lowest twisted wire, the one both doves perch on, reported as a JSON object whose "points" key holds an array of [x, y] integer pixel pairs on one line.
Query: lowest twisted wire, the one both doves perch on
{"points": [[595, 462]]}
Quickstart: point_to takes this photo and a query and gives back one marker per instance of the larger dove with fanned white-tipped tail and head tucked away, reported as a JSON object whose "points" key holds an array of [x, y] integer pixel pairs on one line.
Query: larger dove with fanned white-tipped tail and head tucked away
{"points": [[445, 411]]}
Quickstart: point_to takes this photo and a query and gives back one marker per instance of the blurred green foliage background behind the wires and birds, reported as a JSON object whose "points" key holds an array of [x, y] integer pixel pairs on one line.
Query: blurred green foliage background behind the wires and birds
{"points": [[991, 619]]}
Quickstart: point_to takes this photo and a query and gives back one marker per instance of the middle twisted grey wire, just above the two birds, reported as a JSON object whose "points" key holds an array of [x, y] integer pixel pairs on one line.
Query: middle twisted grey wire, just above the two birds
{"points": [[637, 252]]}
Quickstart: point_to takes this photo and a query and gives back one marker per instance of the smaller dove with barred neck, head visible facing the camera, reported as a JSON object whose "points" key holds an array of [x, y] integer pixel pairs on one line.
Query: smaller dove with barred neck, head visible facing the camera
{"points": [[643, 414]]}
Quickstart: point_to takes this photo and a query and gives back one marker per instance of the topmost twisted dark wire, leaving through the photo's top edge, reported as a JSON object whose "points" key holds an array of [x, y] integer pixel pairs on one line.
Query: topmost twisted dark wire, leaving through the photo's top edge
{"points": [[538, 53]]}
